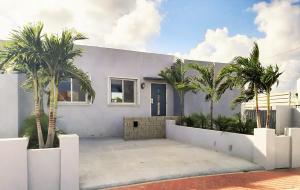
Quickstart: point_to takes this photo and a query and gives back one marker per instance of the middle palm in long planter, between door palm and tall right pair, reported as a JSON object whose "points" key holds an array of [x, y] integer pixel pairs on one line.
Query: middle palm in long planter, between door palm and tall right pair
{"points": [[212, 85]]}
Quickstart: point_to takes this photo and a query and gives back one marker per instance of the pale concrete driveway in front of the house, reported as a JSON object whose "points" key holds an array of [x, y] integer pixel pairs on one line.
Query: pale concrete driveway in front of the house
{"points": [[113, 162]]}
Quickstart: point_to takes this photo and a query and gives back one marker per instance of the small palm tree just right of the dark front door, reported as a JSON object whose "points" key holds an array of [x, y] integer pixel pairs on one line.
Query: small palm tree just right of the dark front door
{"points": [[175, 76]]}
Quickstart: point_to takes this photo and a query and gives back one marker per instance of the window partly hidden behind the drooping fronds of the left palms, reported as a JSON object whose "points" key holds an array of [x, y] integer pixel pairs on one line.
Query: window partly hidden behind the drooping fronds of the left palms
{"points": [[70, 91]]}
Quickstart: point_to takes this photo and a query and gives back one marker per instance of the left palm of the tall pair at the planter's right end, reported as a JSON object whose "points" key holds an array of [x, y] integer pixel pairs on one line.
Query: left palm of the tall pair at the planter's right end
{"points": [[245, 73]]}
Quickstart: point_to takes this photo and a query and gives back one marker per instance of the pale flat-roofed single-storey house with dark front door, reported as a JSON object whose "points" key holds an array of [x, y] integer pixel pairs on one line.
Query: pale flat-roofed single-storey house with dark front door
{"points": [[126, 85]]}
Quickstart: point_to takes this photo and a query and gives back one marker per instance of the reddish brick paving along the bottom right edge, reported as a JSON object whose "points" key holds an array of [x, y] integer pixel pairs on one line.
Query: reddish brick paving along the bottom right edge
{"points": [[266, 180]]}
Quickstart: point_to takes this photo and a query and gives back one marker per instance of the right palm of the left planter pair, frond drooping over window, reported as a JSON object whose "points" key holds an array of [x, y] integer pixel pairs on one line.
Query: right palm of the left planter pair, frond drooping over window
{"points": [[59, 55]]}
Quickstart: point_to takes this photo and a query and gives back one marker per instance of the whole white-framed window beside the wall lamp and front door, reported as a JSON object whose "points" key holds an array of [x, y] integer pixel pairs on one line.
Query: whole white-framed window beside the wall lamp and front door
{"points": [[122, 91]]}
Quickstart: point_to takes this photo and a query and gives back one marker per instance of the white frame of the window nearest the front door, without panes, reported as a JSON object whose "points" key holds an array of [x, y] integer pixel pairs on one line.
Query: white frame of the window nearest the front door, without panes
{"points": [[136, 91]]}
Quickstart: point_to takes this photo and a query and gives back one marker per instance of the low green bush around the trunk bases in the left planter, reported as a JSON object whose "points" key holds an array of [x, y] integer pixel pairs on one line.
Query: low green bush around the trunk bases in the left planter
{"points": [[28, 129]]}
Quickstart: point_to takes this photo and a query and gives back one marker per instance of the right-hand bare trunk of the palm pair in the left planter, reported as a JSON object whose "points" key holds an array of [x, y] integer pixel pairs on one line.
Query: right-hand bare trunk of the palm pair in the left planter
{"points": [[51, 125]]}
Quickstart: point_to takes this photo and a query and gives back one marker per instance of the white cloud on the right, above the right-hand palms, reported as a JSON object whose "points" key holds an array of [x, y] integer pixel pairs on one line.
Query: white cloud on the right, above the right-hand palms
{"points": [[280, 23]]}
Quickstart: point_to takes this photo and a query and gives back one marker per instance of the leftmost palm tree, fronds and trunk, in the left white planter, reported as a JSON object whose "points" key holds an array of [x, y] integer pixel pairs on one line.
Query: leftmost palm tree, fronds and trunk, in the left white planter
{"points": [[23, 53]]}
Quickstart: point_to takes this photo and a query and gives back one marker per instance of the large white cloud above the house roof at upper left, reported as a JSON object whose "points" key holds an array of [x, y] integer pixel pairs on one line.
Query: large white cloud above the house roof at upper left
{"points": [[115, 23]]}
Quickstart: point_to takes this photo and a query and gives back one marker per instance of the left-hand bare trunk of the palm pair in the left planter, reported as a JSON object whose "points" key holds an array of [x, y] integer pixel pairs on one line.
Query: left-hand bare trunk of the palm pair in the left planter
{"points": [[37, 112]]}
